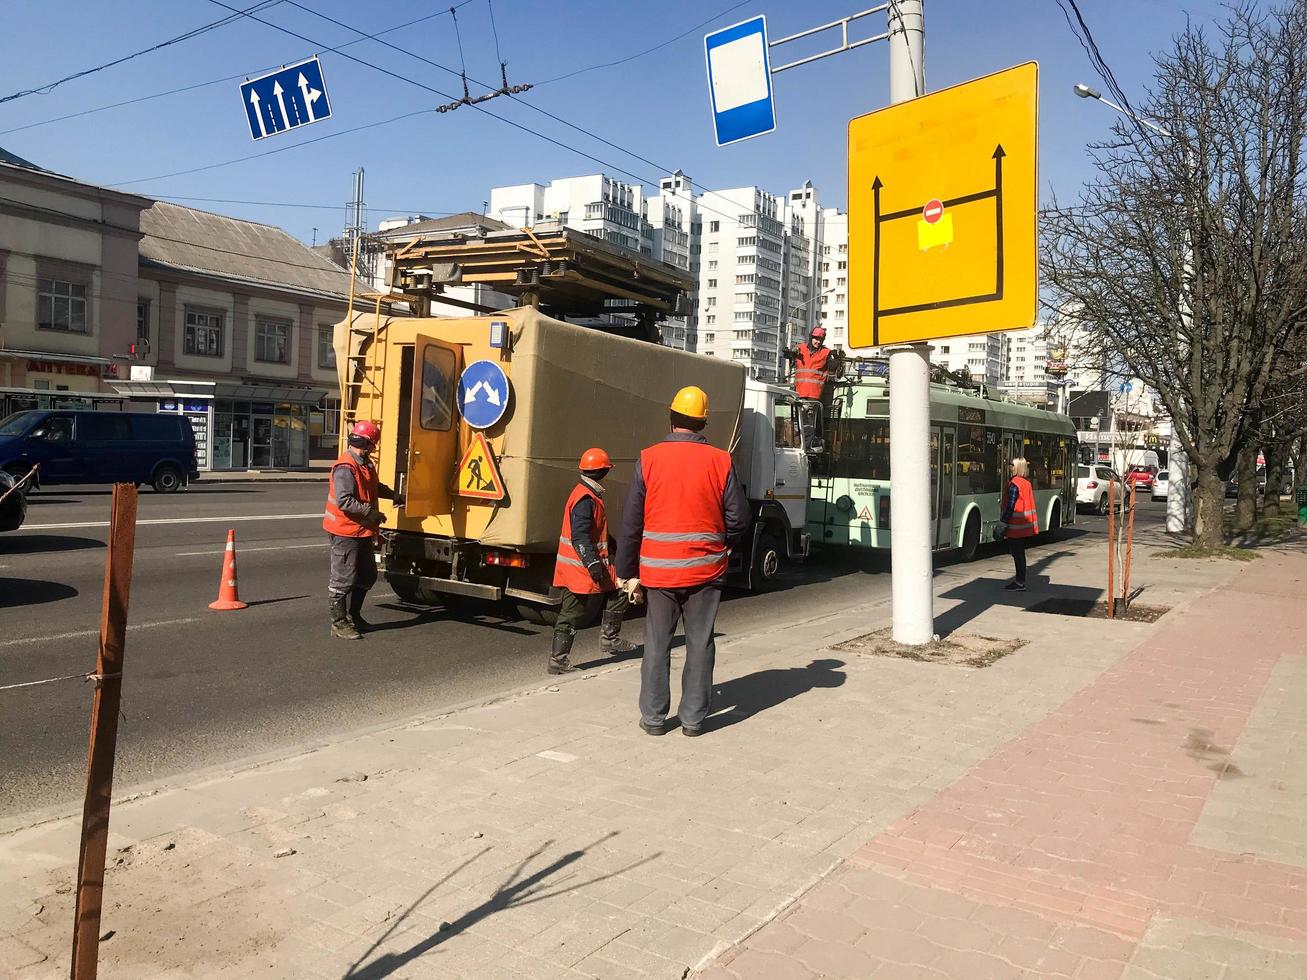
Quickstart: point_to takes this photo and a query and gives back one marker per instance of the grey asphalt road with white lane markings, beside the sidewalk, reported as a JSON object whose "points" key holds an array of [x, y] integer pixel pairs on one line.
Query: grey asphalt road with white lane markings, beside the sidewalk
{"points": [[208, 689]]}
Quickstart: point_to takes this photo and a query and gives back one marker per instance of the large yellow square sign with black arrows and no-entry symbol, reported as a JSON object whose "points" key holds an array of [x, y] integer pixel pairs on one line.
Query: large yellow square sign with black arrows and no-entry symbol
{"points": [[942, 214]]}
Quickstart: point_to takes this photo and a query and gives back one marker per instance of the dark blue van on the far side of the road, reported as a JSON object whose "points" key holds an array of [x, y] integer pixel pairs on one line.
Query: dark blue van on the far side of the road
{"points": [[100, 448]]}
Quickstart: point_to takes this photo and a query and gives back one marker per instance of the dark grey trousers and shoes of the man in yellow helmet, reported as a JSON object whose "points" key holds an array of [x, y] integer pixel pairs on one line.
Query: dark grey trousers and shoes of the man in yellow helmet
{"points": [[699, 608]]}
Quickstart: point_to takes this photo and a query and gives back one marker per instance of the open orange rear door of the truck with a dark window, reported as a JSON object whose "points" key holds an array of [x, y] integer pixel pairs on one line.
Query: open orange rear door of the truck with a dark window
{"points": [[433, 428]]}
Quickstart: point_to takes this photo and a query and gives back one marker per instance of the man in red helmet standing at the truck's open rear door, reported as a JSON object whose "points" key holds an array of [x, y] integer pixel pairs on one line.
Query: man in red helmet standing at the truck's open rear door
{"points": [[352, 522]]}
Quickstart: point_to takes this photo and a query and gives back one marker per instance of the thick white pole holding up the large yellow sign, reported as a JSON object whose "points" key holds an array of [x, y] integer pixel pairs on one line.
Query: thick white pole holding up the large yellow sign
{"points": [[912, 543]]}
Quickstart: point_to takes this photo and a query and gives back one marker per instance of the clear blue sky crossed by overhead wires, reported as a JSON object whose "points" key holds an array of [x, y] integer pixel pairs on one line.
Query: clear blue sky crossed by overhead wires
{"points": [[655, 106]]}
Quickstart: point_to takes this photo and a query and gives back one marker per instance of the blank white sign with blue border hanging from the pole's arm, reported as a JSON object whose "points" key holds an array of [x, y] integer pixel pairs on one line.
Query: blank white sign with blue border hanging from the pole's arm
{"points": [[740, 82]]}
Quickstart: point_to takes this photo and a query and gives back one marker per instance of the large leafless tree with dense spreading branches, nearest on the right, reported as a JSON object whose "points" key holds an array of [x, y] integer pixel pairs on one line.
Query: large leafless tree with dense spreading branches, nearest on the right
{"points": [[1186, 258]]}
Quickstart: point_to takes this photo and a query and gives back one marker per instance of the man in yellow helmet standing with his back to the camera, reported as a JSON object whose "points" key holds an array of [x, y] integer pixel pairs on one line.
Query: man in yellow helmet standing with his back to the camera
{"points": [[684, 512]]}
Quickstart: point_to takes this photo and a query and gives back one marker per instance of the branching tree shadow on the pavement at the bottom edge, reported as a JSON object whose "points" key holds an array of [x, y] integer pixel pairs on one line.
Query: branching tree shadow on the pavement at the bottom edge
{"points": [[514, 893]]}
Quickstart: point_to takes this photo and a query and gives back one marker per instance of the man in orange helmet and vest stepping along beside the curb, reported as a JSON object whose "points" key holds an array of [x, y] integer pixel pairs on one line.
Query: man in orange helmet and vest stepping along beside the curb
{"points": [[584, 569]]}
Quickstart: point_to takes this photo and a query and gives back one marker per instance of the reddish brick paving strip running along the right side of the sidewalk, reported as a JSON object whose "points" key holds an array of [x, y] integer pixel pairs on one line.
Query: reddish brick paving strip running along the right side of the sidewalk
{"points": [[1053, 857]]}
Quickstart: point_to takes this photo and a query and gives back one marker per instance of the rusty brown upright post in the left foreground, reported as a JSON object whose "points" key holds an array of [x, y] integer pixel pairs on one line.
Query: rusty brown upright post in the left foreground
{"points": [[104, 732]]}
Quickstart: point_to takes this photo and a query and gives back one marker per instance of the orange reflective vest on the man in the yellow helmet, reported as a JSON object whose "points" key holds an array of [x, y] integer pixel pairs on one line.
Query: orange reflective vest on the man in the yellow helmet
{"points": [[686, 527]]}
